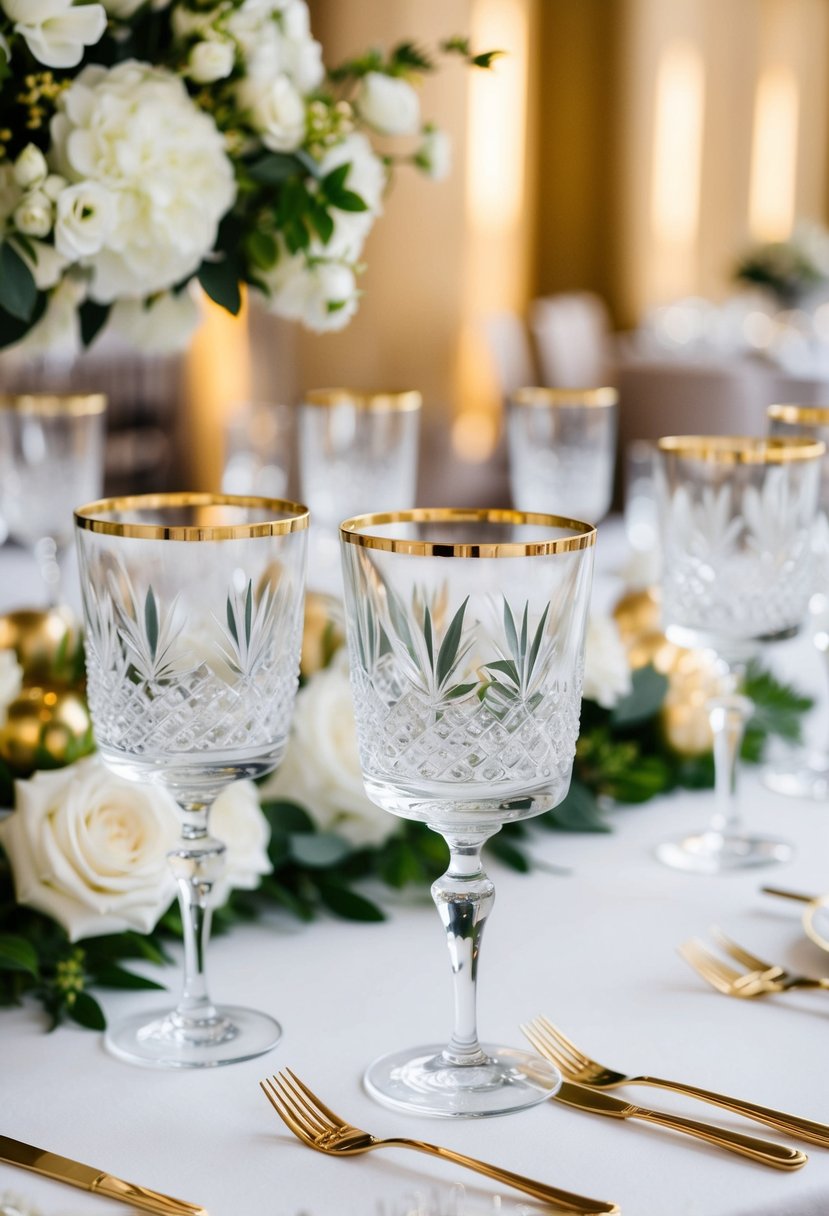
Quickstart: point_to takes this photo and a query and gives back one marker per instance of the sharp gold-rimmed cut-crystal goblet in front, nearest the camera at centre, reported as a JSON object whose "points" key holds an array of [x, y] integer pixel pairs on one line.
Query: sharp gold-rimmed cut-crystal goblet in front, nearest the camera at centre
{"points": [[466, 639]]}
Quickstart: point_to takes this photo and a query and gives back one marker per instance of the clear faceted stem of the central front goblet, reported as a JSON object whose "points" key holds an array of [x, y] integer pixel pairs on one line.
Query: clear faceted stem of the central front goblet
{"points": [[464, 898]]}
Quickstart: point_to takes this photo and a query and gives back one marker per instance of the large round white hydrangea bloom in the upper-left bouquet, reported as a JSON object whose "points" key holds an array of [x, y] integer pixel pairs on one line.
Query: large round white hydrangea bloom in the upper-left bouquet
{"points": [[136, 132]]}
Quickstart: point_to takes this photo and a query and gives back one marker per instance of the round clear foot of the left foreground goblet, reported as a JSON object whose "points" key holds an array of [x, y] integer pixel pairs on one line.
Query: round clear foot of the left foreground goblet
{"points": [[163, 1040]]}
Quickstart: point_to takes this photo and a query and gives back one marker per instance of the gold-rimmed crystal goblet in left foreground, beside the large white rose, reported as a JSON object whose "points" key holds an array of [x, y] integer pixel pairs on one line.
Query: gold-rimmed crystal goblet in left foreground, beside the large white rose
{"points": [[194, 610]]}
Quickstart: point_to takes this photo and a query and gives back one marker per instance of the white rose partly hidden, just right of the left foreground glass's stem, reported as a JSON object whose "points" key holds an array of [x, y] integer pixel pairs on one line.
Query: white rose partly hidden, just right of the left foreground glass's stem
{"points": [[238, 820]]}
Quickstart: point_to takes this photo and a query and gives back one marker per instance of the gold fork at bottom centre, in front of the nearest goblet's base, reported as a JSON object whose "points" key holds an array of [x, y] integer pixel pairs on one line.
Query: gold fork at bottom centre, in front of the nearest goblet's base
{"points": [[319, 1128]]}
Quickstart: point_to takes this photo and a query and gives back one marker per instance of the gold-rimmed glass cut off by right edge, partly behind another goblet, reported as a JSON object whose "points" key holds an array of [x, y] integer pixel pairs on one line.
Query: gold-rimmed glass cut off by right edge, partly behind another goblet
{"points": [[807, 774]]}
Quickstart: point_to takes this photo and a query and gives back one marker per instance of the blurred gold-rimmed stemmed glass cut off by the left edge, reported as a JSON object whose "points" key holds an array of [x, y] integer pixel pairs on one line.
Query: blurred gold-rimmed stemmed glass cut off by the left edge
{"points": [[52, 459]]}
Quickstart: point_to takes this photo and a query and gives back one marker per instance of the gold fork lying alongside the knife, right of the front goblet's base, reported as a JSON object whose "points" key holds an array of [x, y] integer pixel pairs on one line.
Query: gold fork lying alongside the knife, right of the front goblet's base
{"points": [[582, 1068]]}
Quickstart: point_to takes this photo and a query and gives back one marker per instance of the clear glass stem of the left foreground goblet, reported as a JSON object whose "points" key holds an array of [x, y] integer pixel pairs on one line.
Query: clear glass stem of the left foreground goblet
{"points": [[196, 864]]}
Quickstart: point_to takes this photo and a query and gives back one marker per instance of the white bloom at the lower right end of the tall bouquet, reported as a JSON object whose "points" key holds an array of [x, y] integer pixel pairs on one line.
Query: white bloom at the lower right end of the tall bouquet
{"points": [[323, 295]]}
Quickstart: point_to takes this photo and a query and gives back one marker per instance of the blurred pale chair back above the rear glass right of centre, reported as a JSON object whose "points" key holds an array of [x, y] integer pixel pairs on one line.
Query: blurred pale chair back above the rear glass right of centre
{"points": [[573, 340]]}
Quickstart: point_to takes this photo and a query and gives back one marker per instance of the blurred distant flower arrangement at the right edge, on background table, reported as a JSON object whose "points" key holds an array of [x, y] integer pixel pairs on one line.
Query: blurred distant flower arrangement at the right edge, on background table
{"points": [[792, 269]]}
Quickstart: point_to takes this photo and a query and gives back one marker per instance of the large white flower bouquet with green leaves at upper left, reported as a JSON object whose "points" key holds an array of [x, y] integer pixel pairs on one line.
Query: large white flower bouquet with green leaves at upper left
{"points": [[149, 147]]}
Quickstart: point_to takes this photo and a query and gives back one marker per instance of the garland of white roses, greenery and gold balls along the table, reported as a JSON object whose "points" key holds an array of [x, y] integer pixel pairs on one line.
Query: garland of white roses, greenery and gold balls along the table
{"points": [[84, 881]]}
